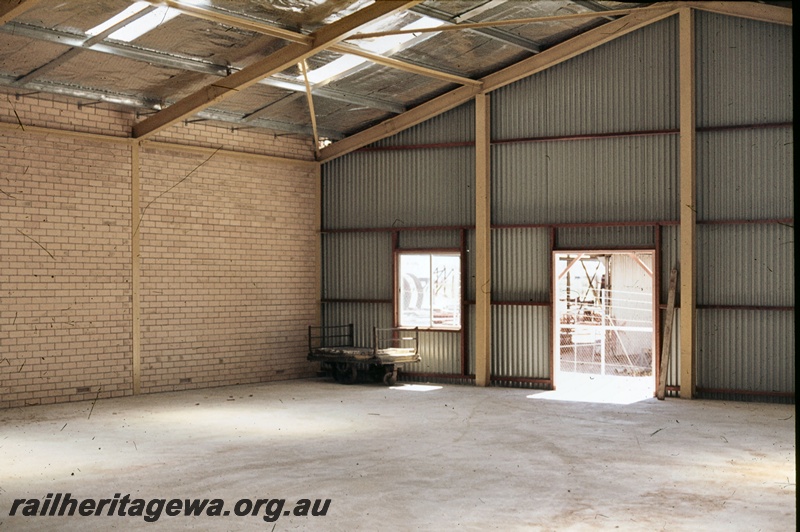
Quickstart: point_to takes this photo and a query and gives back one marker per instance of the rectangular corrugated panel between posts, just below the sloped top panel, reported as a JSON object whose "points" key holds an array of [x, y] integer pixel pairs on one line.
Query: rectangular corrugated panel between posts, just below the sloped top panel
{"points": [[623, 179]]}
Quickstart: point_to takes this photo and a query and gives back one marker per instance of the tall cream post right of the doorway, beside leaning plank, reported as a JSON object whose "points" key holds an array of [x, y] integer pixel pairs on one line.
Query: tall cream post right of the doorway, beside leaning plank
{"points": [[688, 204]]}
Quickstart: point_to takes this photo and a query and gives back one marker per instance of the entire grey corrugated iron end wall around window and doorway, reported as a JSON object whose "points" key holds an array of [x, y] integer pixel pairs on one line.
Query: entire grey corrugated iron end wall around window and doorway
{"points": [[585, 156]]}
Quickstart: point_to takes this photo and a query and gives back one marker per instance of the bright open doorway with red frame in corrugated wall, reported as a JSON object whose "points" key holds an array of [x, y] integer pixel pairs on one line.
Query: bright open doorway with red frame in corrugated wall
{"points": [[604, 338]]}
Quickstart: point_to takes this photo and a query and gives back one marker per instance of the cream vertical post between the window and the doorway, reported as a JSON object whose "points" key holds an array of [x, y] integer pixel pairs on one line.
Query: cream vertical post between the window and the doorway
{"points": [[483, 246]]}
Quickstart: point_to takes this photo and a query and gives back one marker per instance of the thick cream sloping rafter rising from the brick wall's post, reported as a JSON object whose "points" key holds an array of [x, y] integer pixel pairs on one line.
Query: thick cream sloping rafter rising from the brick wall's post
{"points": [[276, 62]]}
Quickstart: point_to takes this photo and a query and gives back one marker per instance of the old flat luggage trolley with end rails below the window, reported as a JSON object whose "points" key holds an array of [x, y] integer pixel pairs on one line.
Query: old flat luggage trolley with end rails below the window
{"points": [[334, 347]]}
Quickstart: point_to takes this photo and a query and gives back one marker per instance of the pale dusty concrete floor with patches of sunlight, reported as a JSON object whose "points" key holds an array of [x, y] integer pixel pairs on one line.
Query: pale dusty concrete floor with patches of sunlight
{"points": [[411, 457]]}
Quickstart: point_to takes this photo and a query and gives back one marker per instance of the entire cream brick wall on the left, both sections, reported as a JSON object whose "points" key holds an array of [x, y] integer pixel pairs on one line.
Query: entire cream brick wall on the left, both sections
{"points": [[228, 256]]}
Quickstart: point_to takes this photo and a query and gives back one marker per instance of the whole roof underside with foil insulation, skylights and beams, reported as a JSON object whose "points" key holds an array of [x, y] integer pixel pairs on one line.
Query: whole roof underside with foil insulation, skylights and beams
{"points": [[267, 64]]}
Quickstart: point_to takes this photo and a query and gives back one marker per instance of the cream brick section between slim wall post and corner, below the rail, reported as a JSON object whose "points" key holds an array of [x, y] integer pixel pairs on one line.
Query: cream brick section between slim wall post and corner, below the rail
{"points": [[227, 276]]}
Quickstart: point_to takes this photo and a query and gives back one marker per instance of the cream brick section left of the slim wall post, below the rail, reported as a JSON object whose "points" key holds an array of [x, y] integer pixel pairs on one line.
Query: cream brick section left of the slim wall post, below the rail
{"points": [[65, 323]]}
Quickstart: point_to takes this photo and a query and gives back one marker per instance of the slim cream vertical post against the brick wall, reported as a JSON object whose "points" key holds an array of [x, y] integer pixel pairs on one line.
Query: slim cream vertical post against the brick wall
{"points": [[136, 351]]}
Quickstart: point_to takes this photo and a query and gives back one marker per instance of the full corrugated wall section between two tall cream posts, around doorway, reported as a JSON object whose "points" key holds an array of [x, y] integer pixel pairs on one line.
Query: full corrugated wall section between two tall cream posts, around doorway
{"points": [[588, 151]]}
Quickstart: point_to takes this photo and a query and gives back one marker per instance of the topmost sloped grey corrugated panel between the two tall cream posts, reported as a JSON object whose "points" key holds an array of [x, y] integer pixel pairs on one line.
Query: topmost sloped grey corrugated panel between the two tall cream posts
{"points": [[629, 84]]}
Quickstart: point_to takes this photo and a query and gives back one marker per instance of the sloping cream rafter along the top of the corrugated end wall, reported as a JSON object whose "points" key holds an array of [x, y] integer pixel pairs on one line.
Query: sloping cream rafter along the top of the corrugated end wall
{"points": [[550, 57]]}
